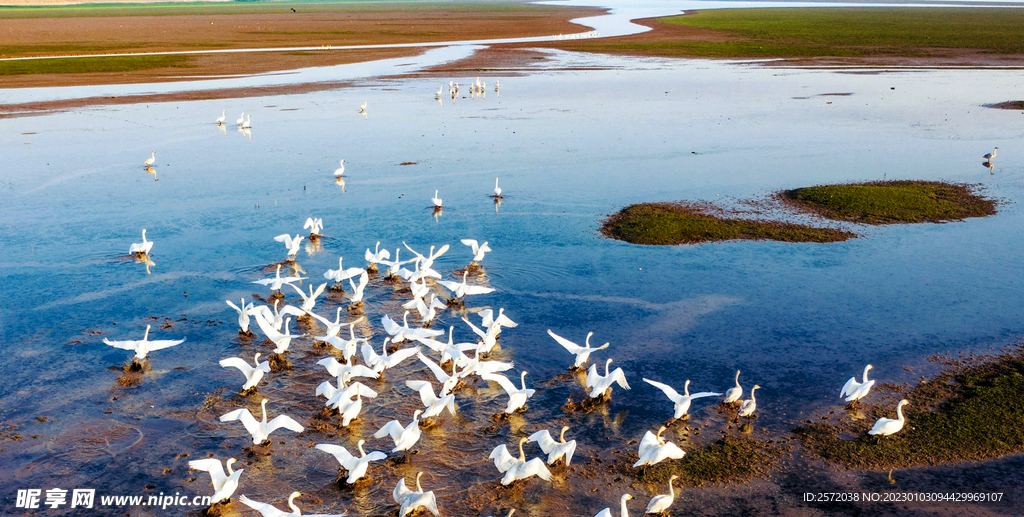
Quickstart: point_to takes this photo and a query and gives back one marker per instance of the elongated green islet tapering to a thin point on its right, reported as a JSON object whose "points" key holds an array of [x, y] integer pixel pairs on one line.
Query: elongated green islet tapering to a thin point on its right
{"points": [[674, 224]]}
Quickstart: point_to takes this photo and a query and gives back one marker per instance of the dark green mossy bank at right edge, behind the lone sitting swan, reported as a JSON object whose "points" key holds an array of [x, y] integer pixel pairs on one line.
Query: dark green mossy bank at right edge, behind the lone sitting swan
{"points": [[964, 414]]}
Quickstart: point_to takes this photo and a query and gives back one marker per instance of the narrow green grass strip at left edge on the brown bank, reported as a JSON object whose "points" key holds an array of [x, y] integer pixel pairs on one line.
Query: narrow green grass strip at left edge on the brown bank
{"points": [[92, 65]]}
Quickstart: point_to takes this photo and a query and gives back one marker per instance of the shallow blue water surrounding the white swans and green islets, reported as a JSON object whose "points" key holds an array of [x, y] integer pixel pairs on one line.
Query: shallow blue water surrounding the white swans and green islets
{"points": [[570, 148]]}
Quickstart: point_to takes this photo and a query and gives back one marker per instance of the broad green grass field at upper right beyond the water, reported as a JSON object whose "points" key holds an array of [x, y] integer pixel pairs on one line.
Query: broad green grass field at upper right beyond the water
{"points": [[842, 32]]}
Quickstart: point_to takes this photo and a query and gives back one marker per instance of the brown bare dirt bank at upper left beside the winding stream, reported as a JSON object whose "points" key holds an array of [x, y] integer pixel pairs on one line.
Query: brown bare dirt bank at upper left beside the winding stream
{"points": [[121, 31]]}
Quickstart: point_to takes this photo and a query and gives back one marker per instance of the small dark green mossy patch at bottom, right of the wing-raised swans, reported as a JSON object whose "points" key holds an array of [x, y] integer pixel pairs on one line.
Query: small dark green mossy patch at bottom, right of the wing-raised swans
{"points": [[731, 459]]}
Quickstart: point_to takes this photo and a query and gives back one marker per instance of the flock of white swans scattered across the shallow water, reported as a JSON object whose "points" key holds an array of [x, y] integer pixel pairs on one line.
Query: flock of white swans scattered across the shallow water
{"points": [[463, 361]]}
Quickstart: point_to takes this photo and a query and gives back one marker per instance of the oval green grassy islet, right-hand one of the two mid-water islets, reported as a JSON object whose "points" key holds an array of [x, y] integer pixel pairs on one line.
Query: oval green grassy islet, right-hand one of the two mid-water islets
{"points": [[891, 202]]}
